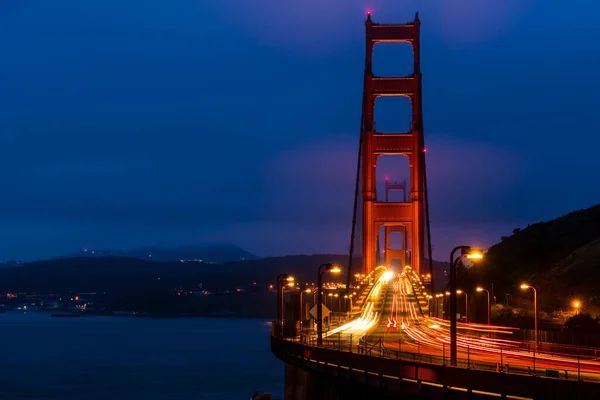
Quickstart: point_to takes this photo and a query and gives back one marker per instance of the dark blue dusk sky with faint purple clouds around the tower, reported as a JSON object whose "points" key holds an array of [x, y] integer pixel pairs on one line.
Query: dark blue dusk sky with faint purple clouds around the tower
{"points": [[128, 123]]}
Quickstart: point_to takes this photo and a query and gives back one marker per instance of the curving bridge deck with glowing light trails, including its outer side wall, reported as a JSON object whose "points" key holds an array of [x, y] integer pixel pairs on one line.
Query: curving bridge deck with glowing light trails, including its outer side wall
{"points": [[414, 353]]}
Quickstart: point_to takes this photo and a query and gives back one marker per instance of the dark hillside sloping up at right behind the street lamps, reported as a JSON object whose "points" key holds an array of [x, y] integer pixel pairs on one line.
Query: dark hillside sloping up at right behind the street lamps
{"points": [[561, 256]]}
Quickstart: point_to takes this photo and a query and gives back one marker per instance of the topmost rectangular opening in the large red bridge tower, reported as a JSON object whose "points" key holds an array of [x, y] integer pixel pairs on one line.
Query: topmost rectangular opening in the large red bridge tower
{"points": [[393, 59]]}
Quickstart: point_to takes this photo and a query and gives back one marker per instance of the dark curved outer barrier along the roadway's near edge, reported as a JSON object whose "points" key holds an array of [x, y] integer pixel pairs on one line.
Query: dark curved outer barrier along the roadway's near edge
{"points": [[375, 365]]}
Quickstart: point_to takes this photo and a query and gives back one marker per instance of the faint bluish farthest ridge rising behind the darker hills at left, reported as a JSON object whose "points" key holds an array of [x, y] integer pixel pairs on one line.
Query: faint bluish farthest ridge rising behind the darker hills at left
{"points": [[215, 253]]}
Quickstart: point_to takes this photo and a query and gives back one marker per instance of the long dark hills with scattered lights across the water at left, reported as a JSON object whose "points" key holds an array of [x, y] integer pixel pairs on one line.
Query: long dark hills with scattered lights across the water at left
{"points": [[97, 274]]}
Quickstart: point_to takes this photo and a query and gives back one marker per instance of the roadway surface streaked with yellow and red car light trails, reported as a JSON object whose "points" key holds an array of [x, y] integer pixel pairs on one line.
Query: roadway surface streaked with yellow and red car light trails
{"points": [[392, 320]]}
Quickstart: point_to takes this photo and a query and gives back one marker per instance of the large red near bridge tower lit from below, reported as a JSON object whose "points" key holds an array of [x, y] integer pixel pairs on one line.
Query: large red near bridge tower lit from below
{"points": [[376, 214]]}
